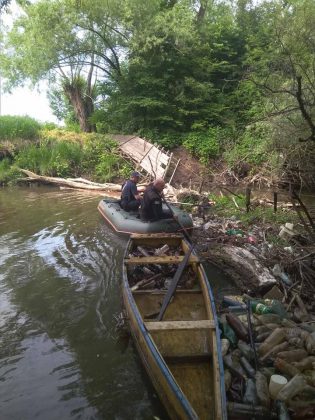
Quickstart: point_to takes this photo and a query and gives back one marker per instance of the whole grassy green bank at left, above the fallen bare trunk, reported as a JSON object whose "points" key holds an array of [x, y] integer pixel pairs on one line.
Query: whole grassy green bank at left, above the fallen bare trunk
{"points": [[47, 150]]}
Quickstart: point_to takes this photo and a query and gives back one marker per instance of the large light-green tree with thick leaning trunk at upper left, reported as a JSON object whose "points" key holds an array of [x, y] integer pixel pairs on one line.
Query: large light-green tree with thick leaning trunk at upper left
{"points": [[68, 45]]}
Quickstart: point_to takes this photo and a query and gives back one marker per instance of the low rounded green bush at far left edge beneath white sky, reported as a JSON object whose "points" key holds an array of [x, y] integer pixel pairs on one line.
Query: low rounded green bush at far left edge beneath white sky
{"points": [[14, 127]]}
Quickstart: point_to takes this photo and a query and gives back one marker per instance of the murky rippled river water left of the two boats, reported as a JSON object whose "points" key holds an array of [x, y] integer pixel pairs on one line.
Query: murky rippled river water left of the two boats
{"points": [[61, 356]]}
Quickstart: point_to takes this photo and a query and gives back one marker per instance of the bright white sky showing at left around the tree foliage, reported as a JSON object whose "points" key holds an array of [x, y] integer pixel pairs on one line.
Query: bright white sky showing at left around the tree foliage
{"points": [[24, 101]]}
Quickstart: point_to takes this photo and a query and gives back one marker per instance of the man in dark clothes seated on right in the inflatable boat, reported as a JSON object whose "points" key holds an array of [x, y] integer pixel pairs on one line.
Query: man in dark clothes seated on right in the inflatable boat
{"points": [[151, 206]]}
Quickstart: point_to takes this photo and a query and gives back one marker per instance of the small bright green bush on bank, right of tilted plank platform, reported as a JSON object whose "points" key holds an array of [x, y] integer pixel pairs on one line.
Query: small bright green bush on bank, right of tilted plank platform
{"points": [[205, 144]]}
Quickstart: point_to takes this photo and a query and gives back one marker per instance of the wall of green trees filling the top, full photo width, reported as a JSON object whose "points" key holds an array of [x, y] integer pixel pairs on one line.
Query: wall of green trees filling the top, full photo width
{"points": [[227, 76]]}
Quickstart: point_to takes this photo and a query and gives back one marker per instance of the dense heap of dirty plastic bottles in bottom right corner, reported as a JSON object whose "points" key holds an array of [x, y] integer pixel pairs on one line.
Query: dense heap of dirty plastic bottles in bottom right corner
{"points": [[269, 358]]}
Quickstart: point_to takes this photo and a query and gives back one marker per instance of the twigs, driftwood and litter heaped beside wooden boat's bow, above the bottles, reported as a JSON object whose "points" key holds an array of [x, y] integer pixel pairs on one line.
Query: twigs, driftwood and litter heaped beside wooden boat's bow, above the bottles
{"points": [[259, 249]]}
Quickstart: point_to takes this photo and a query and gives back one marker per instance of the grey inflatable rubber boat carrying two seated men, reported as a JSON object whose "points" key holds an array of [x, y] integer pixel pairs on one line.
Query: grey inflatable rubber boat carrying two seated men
{"points": [[130, 222]]}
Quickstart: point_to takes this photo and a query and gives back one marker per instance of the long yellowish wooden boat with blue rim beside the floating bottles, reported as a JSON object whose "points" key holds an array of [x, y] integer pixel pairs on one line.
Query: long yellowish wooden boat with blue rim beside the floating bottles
{"points": [[182, 352]]}
